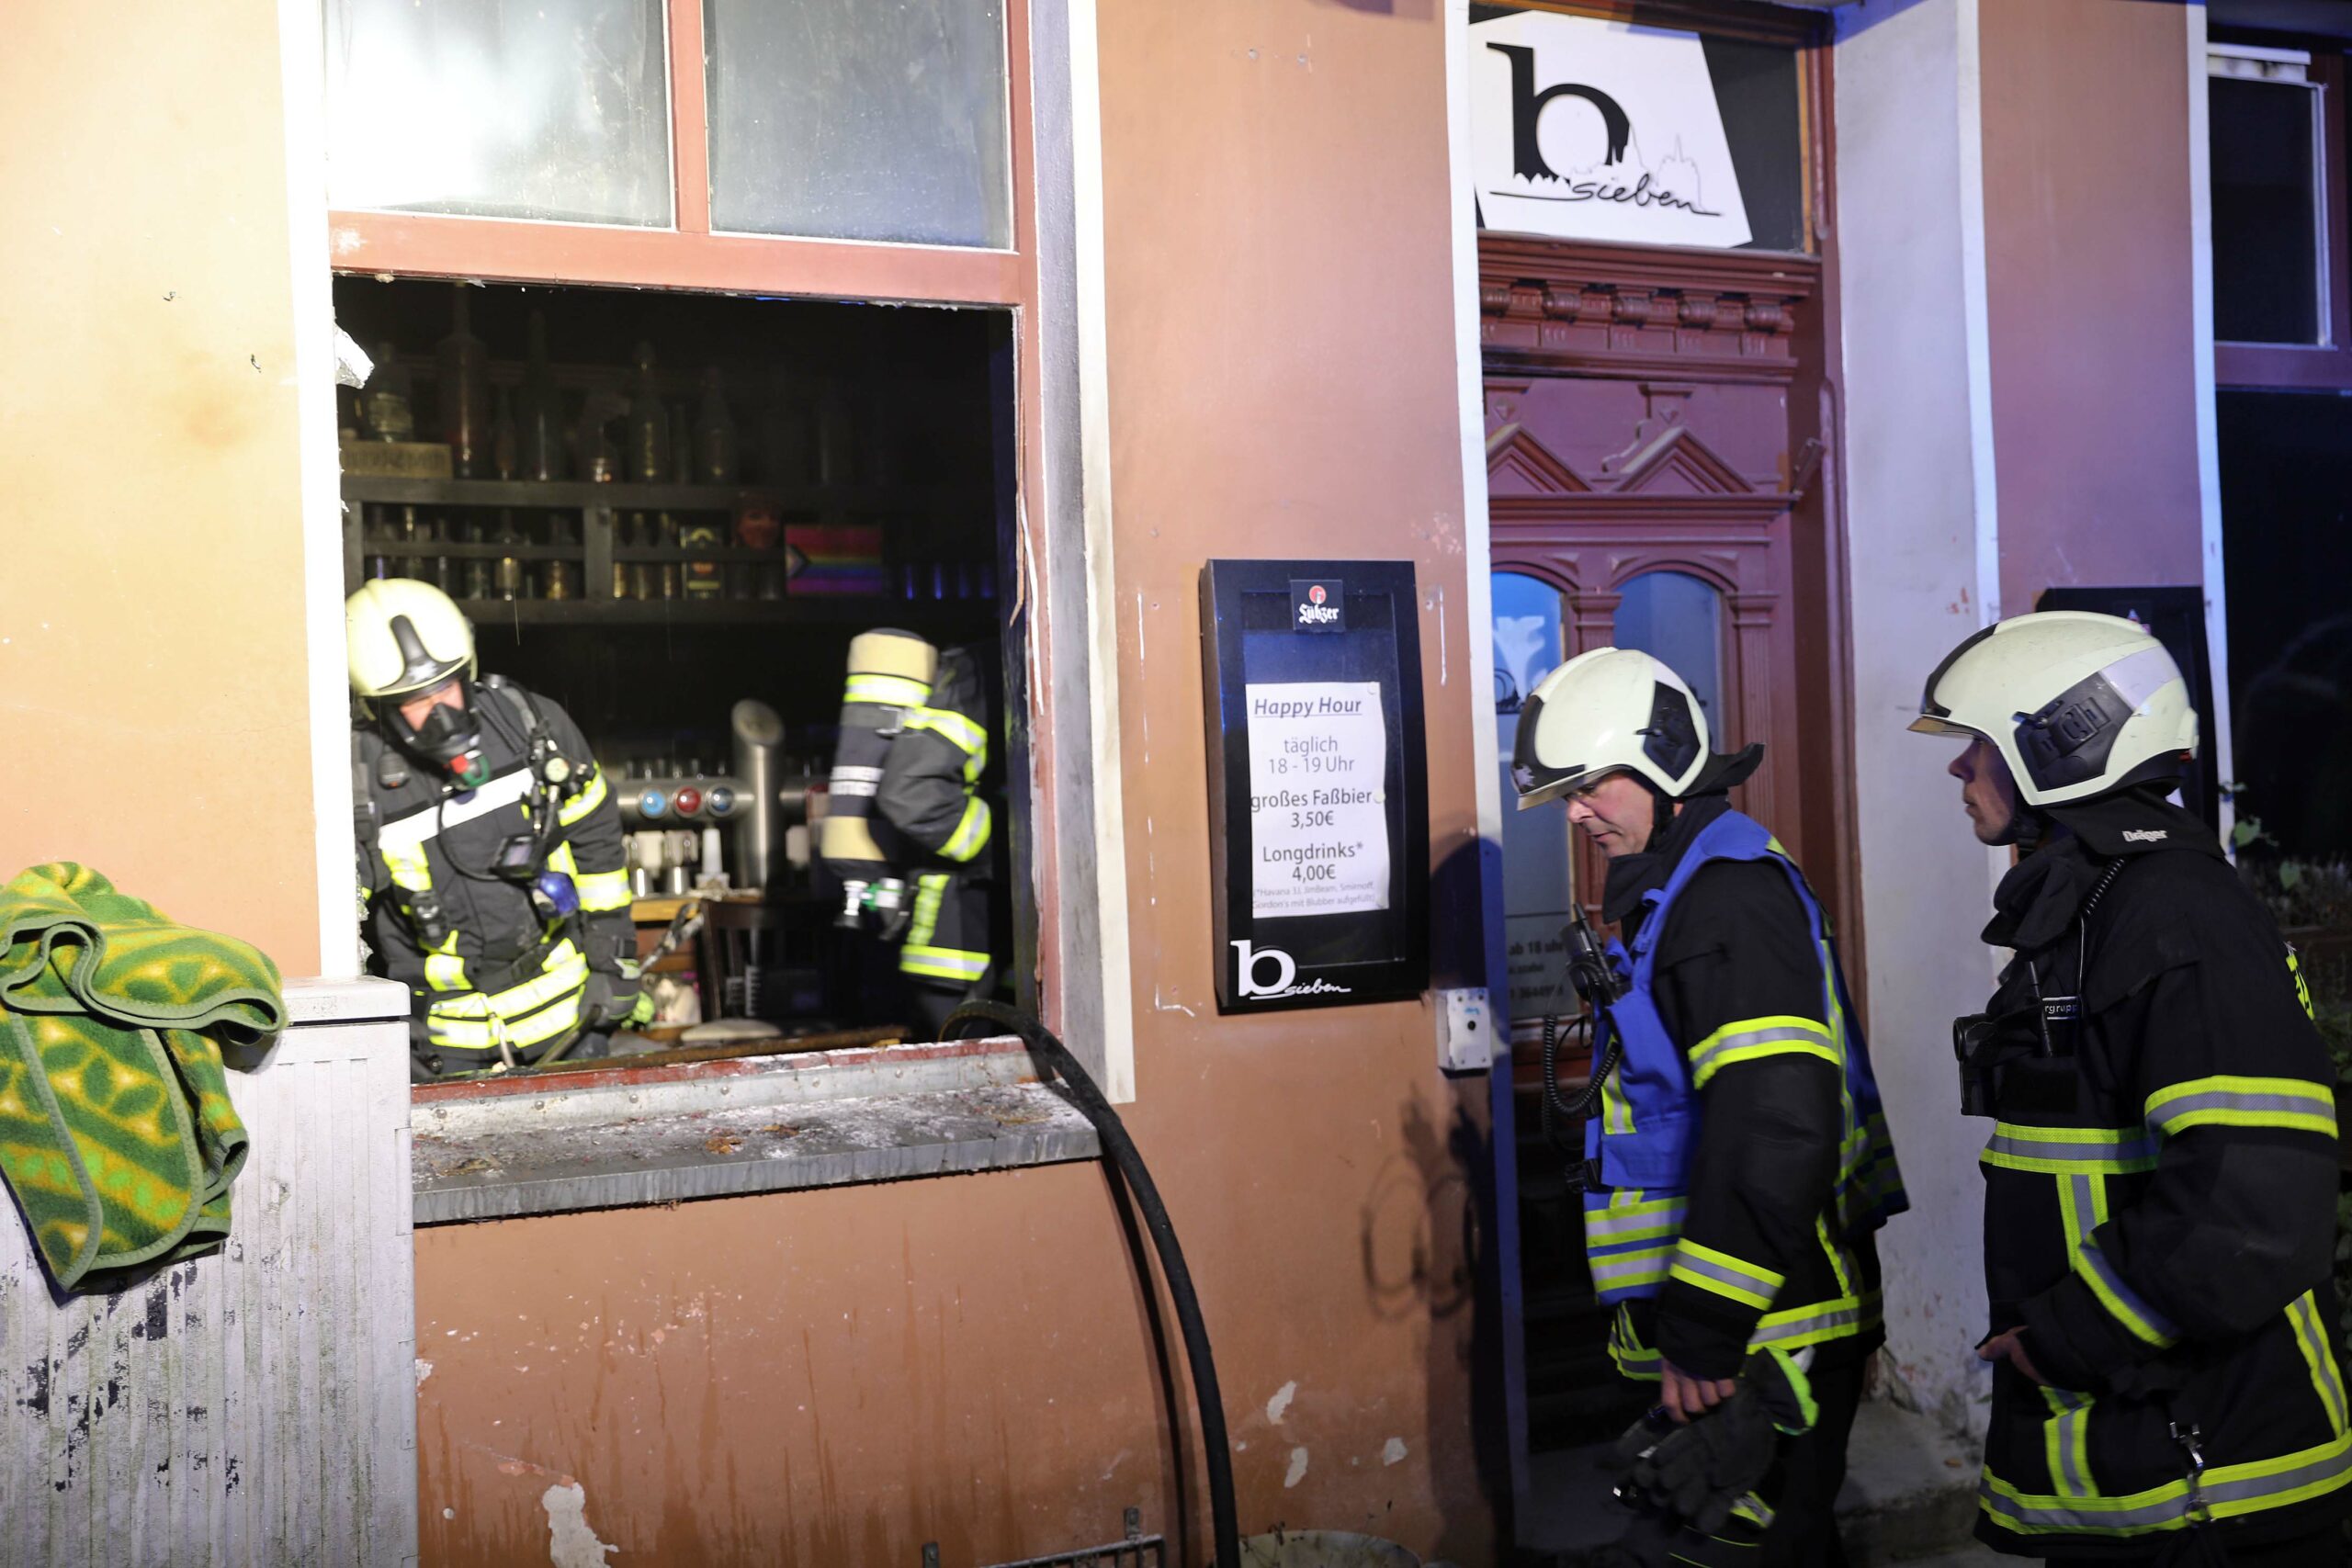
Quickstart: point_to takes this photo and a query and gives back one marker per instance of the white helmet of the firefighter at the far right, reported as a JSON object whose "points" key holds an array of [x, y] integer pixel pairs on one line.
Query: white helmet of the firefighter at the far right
{"points": [[2078, 704]]}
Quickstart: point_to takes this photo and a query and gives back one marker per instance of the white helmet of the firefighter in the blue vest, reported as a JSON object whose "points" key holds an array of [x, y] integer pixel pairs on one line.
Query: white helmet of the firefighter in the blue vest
{"points": [[1603, 713]]}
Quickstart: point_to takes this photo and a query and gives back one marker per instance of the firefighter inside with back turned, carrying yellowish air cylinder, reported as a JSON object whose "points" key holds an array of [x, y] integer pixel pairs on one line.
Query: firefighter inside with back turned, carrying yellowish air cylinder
{"points": [[907, 829]]}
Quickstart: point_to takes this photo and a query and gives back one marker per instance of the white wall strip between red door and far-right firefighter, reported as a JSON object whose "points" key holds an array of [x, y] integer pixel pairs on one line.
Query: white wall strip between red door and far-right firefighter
{"points": [[1923, 547]]}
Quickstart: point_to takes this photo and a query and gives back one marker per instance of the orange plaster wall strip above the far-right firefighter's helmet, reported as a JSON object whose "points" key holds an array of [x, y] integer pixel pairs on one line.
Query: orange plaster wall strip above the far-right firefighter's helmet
{"points": [[2087, 267]]}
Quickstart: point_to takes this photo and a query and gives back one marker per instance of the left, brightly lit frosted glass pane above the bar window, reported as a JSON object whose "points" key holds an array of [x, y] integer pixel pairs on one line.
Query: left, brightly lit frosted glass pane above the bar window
{"points": [[500, 109]]}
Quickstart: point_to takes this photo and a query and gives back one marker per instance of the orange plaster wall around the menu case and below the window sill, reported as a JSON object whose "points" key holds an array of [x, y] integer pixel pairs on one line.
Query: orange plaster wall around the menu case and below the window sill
{"points": [[843, 1376]]}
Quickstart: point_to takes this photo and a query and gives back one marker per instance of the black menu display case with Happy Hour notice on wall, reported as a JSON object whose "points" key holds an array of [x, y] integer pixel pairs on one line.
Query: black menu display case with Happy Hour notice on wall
{"points": [[1318, 784]]}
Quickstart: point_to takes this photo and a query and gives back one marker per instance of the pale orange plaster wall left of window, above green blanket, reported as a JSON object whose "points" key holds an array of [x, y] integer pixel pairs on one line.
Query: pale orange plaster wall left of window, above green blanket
{"points": [[152, 612]]}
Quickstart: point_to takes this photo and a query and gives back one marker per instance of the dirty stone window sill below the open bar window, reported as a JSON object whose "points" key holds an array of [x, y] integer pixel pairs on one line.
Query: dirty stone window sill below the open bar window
{"points": [[627, 1137]]}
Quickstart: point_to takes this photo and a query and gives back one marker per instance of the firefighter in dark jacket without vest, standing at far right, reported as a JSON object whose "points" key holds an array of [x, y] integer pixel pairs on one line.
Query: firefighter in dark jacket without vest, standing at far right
{"points": [[2160, 1179]]}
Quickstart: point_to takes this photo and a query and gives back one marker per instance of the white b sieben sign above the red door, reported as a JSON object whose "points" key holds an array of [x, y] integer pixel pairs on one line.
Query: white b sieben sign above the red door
{"points": [[1601, 130]]}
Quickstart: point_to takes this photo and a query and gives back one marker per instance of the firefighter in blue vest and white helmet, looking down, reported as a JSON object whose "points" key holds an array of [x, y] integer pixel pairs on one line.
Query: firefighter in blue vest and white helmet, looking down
{"points": [[1739, 1162]]}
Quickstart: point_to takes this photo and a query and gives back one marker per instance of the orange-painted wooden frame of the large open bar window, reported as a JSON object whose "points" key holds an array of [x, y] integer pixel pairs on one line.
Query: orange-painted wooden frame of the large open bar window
{"points": [[690, 257]]}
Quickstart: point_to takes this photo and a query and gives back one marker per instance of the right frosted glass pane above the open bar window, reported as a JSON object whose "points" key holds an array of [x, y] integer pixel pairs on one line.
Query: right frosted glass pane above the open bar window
{"points": [[860, 121]]}
